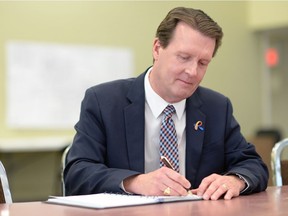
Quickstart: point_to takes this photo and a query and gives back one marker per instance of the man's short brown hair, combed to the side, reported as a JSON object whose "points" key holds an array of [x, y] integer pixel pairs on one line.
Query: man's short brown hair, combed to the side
{"points": [[197, 19]]}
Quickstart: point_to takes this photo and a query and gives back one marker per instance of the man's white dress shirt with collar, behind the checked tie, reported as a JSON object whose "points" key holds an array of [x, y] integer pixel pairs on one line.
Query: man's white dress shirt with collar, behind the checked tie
{"points": [[154, 105]]}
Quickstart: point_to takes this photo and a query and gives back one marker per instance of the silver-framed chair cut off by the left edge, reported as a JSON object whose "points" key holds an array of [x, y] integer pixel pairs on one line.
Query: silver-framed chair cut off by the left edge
{"points": [[5, 194]]}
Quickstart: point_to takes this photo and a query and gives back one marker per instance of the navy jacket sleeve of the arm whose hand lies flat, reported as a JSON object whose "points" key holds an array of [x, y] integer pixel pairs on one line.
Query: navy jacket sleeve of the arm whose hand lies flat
{"points": [[242, 157]]}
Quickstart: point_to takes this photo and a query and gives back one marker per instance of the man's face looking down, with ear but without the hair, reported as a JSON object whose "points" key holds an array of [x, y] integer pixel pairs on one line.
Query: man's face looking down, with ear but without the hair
{"points": [[180, 67]]}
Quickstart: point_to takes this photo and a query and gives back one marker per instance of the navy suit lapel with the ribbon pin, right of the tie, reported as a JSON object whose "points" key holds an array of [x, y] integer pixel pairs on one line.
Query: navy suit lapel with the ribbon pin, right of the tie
{"points": [[194, 138]]}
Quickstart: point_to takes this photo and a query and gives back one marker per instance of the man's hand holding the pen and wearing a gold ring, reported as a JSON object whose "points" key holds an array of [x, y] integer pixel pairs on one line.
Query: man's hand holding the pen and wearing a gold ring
{"points": [[154, 183]]}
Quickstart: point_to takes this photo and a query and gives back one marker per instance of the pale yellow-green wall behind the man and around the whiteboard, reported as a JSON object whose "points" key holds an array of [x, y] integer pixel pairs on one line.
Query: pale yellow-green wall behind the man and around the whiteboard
{"points": [[235, 70]]}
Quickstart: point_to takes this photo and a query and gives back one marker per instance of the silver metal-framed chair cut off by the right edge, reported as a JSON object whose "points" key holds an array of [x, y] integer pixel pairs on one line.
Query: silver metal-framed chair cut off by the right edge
{"points": [[279, 167]]}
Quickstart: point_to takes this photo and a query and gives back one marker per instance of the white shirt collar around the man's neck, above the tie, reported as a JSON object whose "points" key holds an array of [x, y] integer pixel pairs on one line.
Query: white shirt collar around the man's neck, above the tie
{"points": [[156, 103]]}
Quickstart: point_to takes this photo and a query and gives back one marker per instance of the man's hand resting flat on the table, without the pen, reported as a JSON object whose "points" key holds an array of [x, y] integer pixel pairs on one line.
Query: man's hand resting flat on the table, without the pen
{"points": [[215, 186]]}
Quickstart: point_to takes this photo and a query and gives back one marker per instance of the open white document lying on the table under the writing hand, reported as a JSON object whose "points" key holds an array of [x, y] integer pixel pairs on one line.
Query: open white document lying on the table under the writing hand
{"points": [[109, 200]]}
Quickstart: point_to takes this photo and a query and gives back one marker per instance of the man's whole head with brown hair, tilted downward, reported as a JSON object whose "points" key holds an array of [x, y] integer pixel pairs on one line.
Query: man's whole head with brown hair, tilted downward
{"points": [[185, 43]]}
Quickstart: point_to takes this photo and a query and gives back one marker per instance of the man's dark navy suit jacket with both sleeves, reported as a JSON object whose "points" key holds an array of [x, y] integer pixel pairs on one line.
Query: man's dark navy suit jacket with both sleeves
{"points": [[109, 141]]}
